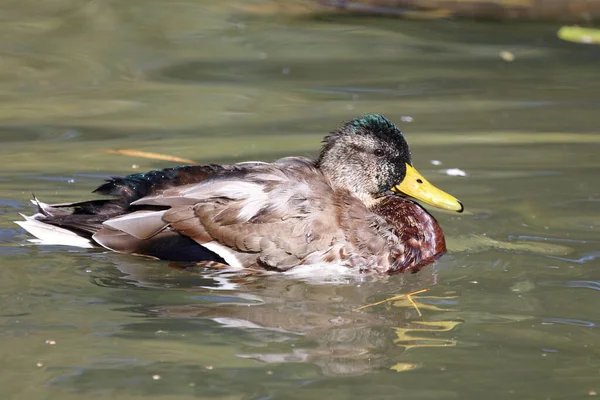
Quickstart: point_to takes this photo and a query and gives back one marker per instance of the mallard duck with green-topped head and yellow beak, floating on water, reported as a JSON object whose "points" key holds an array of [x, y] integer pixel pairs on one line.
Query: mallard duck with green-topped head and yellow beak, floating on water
{"points": [[347, 207]]}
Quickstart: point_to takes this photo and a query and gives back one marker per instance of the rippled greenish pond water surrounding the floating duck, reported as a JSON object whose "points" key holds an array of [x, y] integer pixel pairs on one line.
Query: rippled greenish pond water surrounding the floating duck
{"points": [[511, 310]]}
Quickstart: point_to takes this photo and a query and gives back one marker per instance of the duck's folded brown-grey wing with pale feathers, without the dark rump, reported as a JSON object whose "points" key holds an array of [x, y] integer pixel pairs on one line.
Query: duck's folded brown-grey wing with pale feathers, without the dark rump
{"points": [[277, 213]]}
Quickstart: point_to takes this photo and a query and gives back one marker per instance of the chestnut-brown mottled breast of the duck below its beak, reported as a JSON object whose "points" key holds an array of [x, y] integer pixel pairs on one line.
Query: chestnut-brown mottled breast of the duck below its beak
{"points": [[421, 235]]}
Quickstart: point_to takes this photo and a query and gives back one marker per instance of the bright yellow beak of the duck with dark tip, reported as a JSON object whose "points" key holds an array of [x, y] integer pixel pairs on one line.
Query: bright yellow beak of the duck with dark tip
{"points": [[414, 185]]}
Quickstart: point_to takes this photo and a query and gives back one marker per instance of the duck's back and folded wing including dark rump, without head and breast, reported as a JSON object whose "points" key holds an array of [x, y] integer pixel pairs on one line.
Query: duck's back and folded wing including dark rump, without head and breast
{"points": [[272, 215]]}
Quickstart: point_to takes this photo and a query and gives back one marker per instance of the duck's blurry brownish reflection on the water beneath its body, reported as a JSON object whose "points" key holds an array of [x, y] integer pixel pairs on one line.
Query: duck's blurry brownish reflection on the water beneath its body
{"points": [[275, 320]]}
